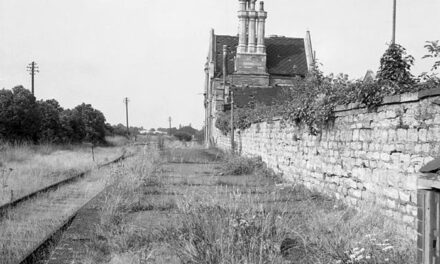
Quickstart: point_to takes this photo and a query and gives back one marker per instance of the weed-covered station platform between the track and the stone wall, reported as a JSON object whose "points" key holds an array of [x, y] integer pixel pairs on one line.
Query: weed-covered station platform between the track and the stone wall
{"points": [[189, 207]]}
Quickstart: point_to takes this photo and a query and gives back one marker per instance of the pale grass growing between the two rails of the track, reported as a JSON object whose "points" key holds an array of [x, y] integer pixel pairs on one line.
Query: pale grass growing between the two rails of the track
{"points": [[25, 226]]}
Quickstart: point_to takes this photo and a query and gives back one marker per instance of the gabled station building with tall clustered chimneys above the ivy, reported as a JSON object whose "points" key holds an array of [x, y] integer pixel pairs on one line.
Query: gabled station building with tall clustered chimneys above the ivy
{"points": [[251, 64]]}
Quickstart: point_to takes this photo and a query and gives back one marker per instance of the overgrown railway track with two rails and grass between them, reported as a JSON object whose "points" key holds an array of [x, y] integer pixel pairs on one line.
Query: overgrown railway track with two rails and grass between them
{"points": [[49, 205]]}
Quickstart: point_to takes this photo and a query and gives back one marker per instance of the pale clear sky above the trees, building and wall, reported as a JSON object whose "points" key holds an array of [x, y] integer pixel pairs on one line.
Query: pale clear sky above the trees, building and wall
{"points": [[154, 51]]}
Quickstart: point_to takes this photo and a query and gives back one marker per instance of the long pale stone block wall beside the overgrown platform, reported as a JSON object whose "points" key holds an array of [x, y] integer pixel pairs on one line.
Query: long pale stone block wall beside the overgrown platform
{"points": [[365, 156]]}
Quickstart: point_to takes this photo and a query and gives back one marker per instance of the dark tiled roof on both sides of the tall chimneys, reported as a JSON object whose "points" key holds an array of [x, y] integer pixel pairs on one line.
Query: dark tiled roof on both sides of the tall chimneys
{"points": [[285, 56]]}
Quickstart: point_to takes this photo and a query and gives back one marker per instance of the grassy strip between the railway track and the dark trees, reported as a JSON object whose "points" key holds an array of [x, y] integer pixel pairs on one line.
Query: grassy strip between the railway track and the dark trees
{"points": [[25, 168]]}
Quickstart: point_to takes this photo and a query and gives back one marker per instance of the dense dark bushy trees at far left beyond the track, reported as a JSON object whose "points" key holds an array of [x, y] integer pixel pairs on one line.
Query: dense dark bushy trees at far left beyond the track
{"points": [[24, 118]]}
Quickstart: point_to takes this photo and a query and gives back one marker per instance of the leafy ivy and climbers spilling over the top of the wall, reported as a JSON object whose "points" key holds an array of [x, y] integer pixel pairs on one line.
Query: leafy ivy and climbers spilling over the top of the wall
{"points": [[311, 101]]}
